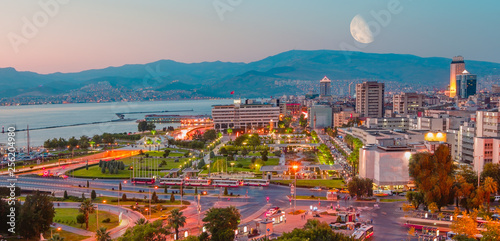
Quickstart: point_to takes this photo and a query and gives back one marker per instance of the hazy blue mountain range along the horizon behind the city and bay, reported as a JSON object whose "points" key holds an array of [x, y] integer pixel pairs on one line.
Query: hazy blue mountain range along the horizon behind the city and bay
{"points": [[255, 79]]}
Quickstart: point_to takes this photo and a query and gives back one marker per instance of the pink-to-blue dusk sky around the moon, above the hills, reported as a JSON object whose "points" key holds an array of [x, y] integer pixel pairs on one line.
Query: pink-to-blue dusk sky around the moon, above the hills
{"points": [[47, 36]]}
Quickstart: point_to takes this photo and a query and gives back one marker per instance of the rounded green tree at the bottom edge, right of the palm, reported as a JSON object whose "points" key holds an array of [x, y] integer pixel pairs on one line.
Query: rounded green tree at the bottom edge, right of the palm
{"points": [[221, 222]]}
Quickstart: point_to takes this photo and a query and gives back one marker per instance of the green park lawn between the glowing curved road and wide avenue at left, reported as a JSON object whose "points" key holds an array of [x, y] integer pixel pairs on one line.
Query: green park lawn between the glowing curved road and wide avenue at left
{"points": [[95, 171]]}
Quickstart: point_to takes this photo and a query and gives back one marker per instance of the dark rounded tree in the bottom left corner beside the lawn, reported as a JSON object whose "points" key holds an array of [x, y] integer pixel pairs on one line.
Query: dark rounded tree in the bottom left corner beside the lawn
{"points": [[36, 215]]}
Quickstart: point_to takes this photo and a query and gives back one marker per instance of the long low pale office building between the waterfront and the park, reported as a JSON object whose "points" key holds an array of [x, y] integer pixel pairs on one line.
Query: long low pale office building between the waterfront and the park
{"points": [[245, 116]]}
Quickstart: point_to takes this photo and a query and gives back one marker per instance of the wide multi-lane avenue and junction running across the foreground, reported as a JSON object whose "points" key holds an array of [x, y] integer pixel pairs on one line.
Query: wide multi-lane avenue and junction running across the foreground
{"points": [[385, 219]]}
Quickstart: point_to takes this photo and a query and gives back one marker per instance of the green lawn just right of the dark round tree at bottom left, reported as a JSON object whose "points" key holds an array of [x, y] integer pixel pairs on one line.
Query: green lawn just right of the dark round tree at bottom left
{"points": [[67, 216]]}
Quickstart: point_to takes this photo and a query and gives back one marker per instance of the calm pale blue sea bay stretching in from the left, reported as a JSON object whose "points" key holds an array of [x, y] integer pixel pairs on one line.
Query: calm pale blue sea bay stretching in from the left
{"points": [[40, 116]]}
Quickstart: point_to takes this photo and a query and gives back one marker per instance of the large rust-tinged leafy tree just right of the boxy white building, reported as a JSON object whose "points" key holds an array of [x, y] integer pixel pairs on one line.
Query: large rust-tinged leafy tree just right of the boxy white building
{"points": [[433, 175]]}
